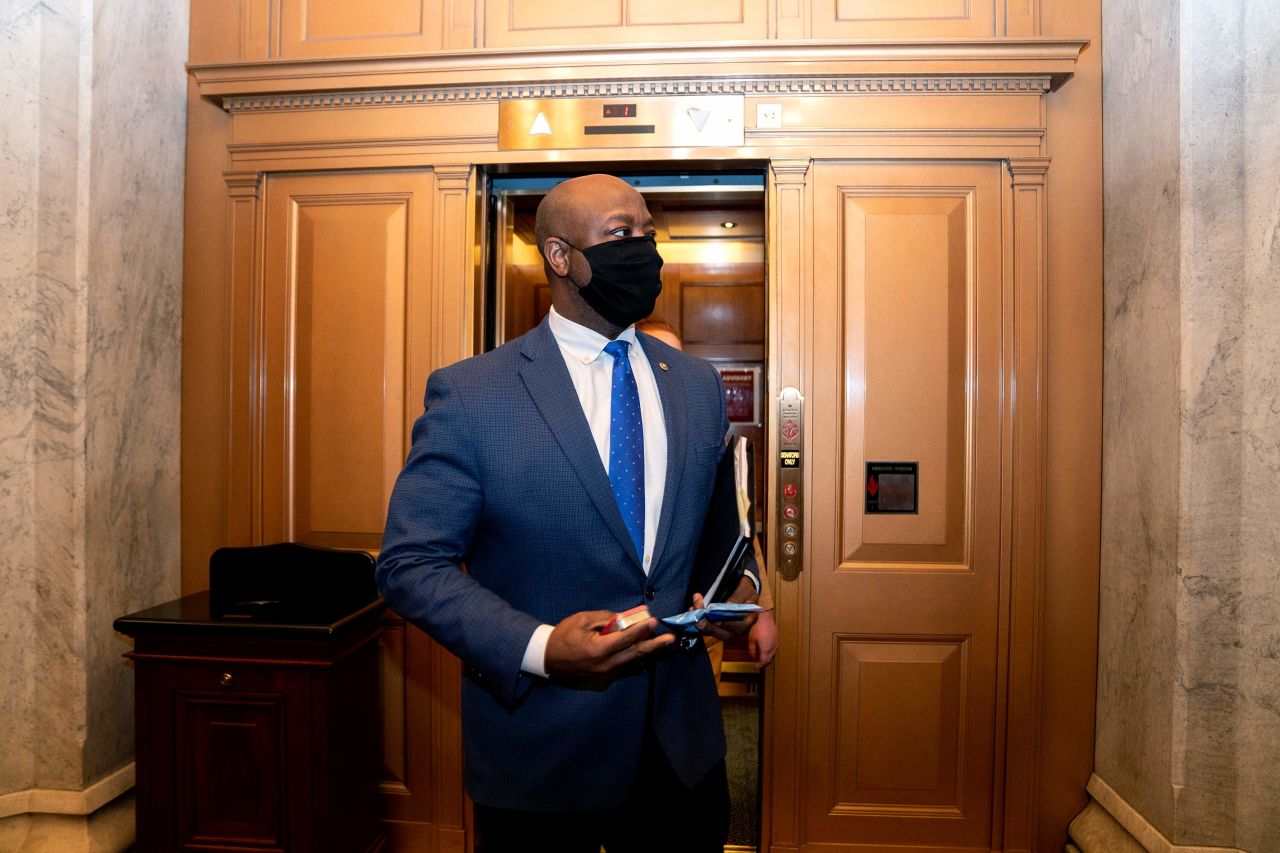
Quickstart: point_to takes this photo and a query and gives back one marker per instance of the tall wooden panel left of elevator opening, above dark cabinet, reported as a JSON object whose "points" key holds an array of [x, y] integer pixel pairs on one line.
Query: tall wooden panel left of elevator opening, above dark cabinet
{"points": [[345, 264]]}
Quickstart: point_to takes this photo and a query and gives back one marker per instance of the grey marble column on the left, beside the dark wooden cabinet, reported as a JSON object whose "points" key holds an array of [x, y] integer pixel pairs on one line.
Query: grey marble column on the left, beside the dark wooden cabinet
{"points": [[92, 184]]}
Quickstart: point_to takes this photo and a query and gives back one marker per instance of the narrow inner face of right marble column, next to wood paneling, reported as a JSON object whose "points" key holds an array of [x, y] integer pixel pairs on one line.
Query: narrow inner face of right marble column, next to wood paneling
{"points": [[1141, 404]]}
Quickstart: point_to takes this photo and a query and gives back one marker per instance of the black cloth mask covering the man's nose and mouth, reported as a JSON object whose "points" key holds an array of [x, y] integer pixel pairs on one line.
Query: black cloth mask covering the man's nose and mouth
{"points": [[627, 279]]}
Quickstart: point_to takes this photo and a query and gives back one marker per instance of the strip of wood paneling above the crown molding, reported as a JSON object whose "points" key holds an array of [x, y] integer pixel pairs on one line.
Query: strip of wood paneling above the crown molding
{"points": [[227, 31]]}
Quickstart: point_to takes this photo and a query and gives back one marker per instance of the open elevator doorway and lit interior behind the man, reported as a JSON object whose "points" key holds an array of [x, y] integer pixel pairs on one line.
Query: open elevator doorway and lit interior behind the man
{"points": [[711, 231]]}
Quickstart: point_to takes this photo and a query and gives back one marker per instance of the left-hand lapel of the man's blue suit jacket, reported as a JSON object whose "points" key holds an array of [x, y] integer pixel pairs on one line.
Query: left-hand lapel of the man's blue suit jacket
{"points": [[552, 390]]}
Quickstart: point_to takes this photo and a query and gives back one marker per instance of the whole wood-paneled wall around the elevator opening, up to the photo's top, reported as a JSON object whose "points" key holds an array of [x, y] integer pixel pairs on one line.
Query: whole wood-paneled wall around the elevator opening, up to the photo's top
{"points": [[336, 159]]}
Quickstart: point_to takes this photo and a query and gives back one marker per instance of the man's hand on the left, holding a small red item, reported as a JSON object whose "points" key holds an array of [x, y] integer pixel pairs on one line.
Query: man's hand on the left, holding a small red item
{"points": [[578, 650]]}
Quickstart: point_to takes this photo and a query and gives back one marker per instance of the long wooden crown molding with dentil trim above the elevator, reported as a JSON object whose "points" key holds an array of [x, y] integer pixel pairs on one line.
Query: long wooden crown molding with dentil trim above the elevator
{"points": [[986, 66]]}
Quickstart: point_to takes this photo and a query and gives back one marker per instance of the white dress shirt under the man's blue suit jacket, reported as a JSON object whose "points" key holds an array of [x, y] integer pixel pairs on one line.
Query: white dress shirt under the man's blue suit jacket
{"points": [[592, 373]]}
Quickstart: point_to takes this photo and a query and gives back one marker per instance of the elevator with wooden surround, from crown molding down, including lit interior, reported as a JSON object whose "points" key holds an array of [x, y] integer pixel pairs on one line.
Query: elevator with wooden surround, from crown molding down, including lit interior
{"points": [[892, 305]]}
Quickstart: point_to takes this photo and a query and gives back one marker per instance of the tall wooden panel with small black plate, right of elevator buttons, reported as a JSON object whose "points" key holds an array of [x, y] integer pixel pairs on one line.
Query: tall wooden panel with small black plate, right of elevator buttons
{"points": [[902, 678]]}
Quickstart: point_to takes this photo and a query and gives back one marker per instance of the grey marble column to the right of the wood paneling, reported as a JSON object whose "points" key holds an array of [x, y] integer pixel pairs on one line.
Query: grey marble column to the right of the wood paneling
{"points": [[1190, 646]]}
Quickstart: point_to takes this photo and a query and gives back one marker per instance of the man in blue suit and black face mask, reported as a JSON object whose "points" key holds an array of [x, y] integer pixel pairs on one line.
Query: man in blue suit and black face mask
{"points": [[554, 483]]}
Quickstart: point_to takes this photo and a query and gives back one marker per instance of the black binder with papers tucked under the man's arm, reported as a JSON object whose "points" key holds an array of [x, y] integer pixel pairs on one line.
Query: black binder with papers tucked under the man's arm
{"points": [[728, 531]]}
